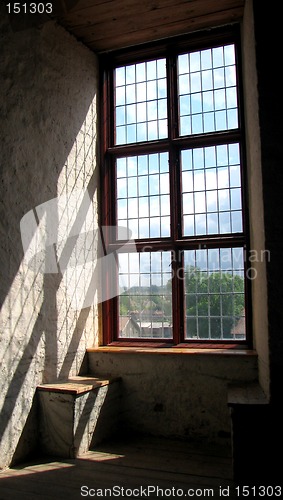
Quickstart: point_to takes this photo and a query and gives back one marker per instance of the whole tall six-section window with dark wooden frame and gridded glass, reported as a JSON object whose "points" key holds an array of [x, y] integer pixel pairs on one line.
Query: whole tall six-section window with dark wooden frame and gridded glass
{"points": [[173, 175]]}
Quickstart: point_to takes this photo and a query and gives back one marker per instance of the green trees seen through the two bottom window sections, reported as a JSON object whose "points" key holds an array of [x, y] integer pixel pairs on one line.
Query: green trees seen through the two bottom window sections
{"points": [[214, 302]]}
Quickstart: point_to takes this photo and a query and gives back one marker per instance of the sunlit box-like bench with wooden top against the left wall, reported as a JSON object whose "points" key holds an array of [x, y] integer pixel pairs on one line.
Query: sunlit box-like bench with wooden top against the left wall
{"points": [[77, 413]]}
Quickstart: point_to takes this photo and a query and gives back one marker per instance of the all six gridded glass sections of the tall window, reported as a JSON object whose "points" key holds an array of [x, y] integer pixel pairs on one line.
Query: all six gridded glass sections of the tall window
{"points": [[211, 190]]}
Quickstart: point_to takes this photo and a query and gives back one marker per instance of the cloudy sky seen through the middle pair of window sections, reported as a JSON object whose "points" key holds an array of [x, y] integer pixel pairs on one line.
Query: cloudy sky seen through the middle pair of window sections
{"points": [[211, 192]]}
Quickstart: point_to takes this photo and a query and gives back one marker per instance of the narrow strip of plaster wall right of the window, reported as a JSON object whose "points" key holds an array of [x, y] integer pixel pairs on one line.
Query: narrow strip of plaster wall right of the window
{"points": [[257, 233]]}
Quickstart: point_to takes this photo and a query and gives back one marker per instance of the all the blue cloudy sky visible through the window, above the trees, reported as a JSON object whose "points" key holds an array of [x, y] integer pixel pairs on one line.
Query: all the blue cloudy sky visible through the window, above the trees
{"points": [[211, 183]]}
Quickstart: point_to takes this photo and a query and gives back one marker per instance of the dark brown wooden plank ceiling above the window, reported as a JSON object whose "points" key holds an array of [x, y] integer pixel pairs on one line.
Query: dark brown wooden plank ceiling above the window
{"points": [[105, 25]]}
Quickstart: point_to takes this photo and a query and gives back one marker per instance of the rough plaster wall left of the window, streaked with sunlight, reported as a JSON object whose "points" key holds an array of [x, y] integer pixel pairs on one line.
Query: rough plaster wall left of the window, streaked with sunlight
{"points": [[48, 150]]}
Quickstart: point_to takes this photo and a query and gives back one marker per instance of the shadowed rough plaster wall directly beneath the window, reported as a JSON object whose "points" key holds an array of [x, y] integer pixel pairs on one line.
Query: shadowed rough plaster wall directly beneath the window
{"points": [[177, 395]]}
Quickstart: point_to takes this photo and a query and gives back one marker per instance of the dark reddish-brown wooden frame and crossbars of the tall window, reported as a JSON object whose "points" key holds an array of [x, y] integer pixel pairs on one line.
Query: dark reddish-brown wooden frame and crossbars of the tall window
{"points": [[109, 152]]}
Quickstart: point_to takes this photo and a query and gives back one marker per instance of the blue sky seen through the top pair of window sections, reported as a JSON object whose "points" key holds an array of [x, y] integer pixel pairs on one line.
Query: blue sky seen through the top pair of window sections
{"points": [[206, 91]]}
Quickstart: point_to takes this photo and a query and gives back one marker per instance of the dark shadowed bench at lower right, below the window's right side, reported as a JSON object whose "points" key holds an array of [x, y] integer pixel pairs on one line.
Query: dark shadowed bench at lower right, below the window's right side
{"points": [[250, 418]]}
